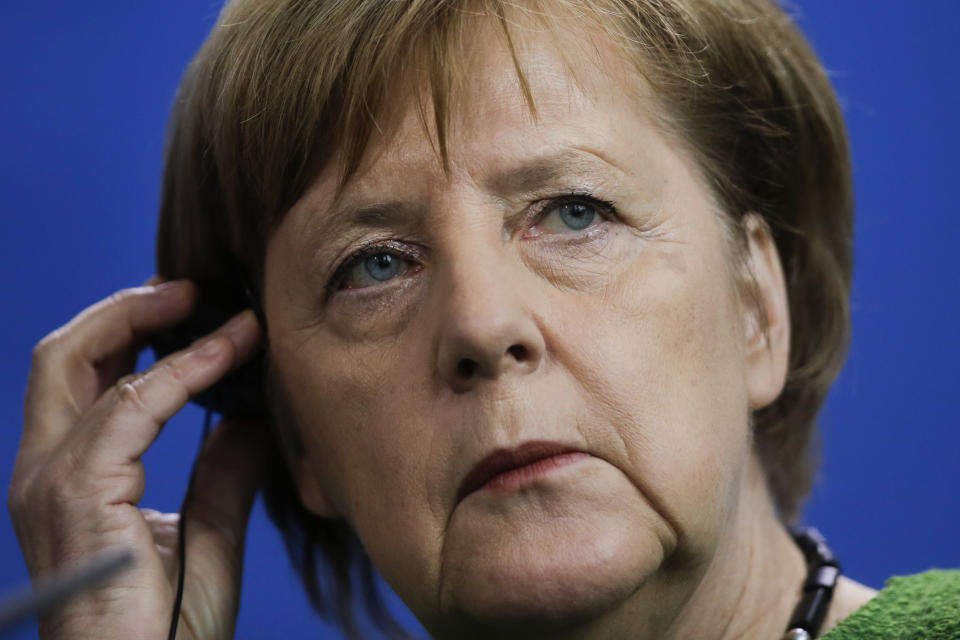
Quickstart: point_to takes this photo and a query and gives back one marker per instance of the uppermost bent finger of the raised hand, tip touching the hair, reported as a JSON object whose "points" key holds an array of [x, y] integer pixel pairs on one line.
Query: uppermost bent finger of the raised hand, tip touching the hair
{"points": [[64, 380]]}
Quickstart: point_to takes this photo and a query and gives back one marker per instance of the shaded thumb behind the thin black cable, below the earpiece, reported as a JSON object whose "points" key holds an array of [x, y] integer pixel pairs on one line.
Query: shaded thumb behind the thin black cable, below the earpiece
{"points": [[228, 475]]}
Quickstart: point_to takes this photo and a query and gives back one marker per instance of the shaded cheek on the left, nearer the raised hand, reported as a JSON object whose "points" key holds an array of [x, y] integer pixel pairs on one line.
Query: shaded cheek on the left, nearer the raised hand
{"points": [[364, 428]]}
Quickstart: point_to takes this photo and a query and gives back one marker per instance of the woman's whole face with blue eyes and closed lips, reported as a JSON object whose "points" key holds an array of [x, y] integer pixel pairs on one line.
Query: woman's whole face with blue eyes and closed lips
{"points": [[562, 293]]}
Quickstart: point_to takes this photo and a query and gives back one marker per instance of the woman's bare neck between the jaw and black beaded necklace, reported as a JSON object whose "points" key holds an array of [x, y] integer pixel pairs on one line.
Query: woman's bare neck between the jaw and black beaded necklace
{"points": [[746, 590]]}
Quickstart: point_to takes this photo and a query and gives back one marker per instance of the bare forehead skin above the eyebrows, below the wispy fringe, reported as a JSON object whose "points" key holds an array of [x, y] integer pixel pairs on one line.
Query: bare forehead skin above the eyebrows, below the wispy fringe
{"points": [[527, 74]]}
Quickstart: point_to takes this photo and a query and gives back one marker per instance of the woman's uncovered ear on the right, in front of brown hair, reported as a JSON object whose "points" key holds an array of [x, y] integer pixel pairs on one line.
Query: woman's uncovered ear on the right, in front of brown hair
{"points": [[767, 338]]}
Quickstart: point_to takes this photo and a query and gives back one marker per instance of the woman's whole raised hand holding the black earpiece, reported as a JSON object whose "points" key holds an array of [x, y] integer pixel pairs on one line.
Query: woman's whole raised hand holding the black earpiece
{"points": [[78, 476]]}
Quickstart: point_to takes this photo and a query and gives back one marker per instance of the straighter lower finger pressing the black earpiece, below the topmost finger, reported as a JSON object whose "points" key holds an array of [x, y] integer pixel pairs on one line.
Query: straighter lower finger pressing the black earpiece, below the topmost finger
{"points": [[129, 417]]}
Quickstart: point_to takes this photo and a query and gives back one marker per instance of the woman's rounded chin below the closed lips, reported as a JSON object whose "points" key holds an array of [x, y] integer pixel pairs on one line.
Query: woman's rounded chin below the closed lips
{"points": [[553, 558]]}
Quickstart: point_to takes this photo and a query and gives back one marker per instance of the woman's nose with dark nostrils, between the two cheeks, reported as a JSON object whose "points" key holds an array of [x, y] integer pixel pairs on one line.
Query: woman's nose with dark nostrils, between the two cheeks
{"points": [[487, 329]]}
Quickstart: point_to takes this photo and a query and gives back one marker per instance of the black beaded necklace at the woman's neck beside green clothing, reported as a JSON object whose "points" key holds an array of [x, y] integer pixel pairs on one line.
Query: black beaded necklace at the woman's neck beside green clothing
{"points": [[823, 570]]}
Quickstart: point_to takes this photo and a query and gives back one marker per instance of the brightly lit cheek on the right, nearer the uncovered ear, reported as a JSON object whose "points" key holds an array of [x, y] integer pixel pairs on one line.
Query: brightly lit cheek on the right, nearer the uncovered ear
{"points": [[657, 354]]}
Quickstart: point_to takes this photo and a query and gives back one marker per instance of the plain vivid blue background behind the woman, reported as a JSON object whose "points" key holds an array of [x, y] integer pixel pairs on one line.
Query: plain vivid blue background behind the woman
{"points": [[85, 89]]}
